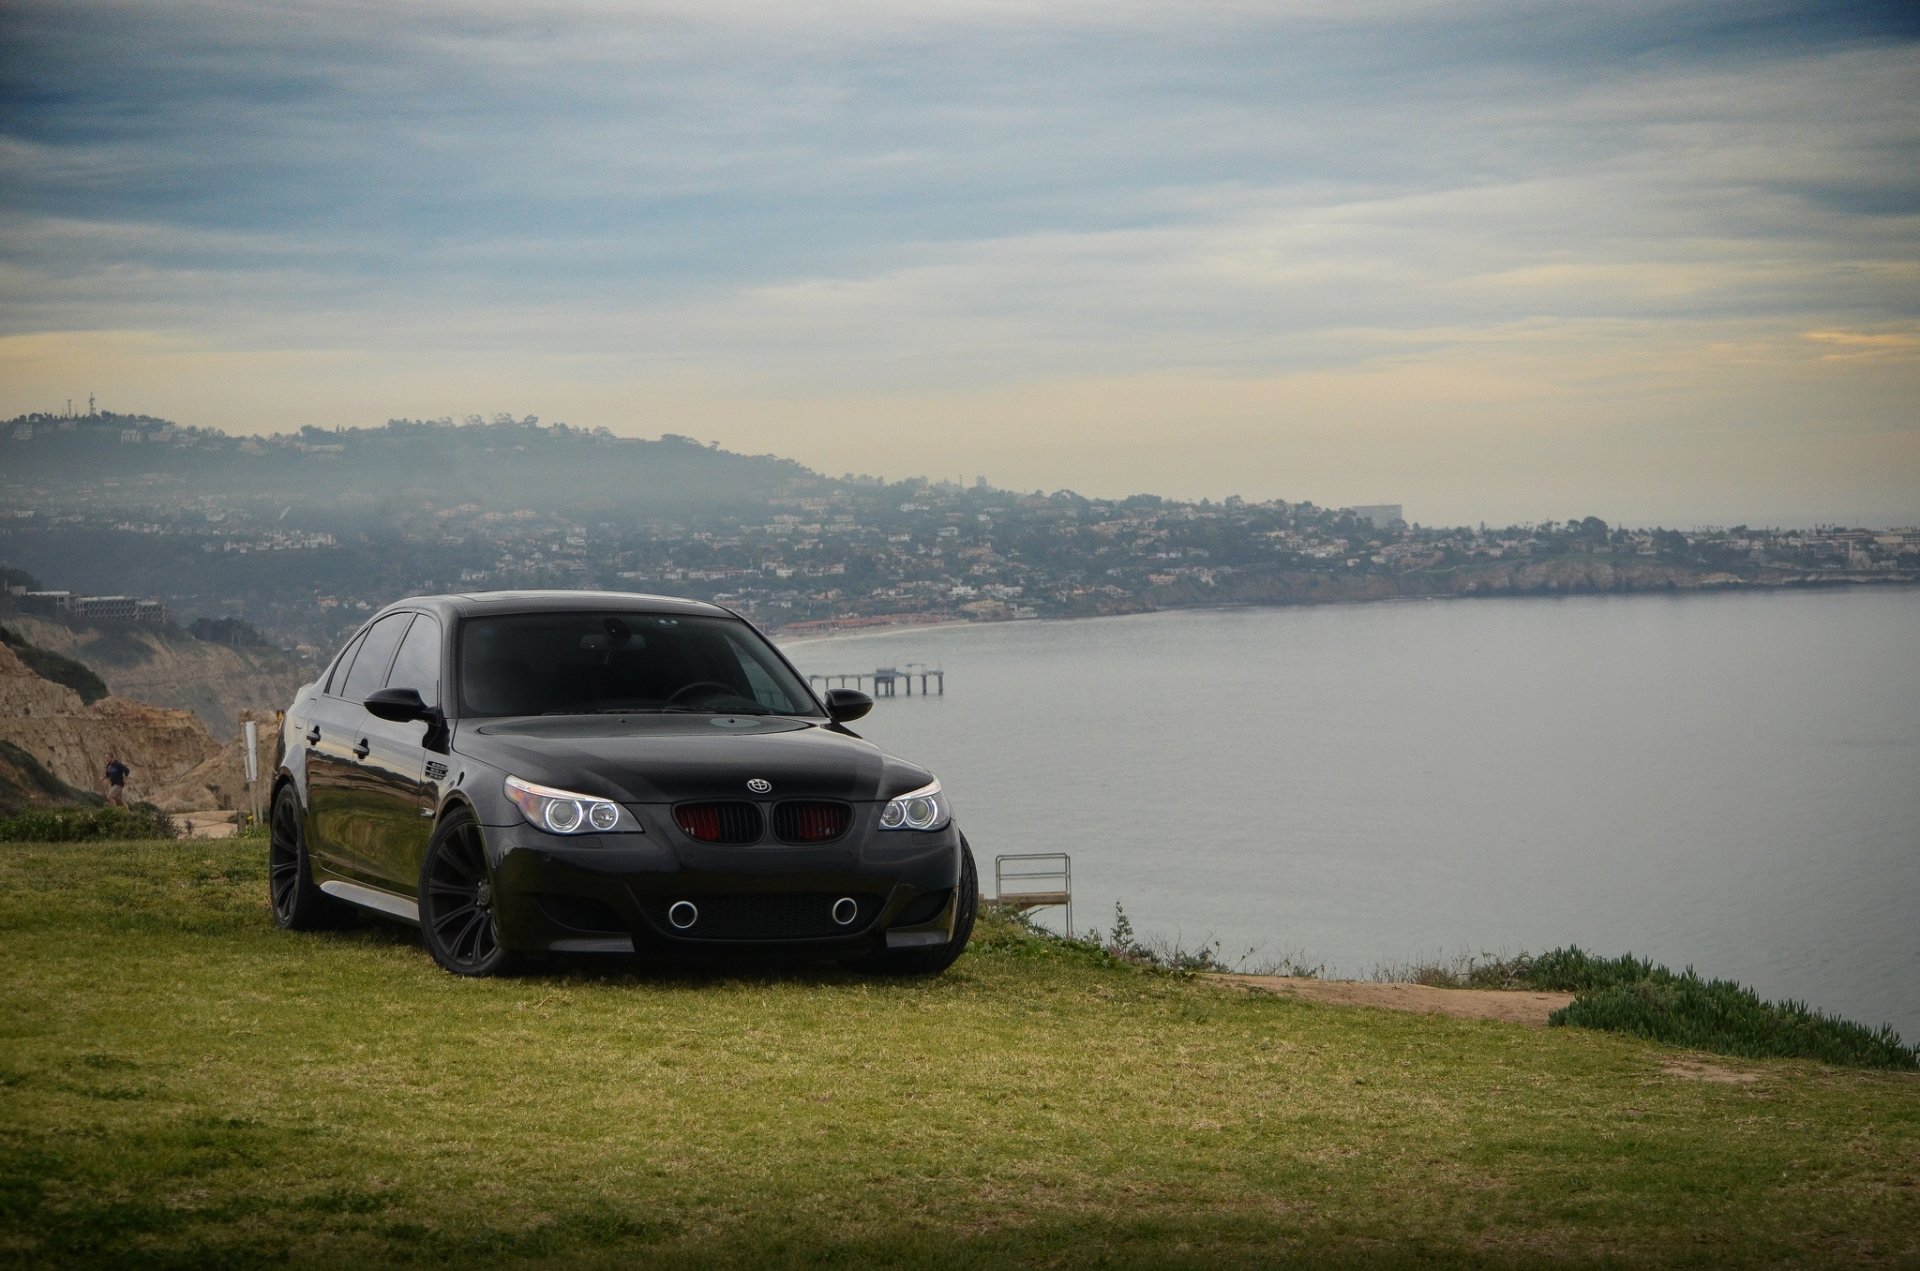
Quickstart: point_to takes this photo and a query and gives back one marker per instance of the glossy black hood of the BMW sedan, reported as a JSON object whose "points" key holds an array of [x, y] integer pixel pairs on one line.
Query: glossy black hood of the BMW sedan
{"points": [[665, 759]]}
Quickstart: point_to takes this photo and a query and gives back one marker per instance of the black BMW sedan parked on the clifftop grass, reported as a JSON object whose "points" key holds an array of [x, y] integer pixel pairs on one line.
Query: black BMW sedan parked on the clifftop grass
{"points": [[529, 773]]}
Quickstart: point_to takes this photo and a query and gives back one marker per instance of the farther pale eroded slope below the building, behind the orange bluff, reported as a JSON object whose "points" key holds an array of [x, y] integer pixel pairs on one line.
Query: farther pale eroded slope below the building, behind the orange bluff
{"points": [[168, 669]]}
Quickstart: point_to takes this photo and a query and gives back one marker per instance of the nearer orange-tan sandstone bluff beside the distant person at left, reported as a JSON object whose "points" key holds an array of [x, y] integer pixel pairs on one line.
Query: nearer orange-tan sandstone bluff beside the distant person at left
{"points": [[74, 740]]}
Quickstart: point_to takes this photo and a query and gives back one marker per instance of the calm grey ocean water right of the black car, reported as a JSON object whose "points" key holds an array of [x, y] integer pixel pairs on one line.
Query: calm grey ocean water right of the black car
{"points": [[1729, 782]]}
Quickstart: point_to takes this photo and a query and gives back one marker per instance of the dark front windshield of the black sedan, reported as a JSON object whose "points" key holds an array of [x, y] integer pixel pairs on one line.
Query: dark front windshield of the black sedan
{"points": [[592, 663]]}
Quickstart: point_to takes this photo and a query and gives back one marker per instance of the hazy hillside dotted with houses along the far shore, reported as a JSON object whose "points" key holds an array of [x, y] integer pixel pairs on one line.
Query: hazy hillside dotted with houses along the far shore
{"points": [[295, 540]]}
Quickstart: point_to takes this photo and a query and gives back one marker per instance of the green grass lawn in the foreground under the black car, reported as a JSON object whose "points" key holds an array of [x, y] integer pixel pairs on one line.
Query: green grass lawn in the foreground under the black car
{"points": [[185, 1086]]}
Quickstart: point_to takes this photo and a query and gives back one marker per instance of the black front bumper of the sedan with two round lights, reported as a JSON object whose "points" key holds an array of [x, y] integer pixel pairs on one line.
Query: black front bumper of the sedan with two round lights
{"points": [[619, 894]]}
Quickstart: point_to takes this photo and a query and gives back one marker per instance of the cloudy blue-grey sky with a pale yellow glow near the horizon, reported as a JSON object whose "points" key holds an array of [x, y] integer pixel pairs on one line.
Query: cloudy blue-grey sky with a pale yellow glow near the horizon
{"points": [[1487, 260]]}
